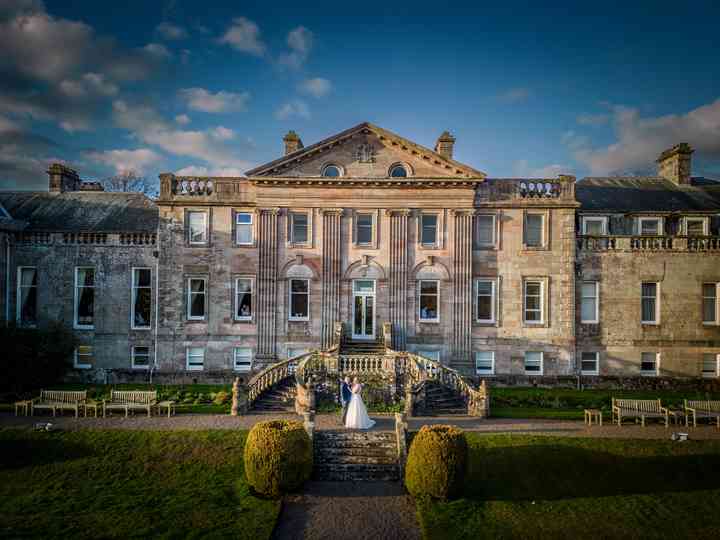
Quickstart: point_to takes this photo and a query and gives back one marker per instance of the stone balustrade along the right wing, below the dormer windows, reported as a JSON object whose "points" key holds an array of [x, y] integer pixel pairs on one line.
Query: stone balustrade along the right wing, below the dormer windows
{"points": [[649, 243]]}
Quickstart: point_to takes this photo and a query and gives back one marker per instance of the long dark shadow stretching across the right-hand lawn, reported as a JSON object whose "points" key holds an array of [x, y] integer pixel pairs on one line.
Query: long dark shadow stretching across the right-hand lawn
{"points": [[542, 472]]}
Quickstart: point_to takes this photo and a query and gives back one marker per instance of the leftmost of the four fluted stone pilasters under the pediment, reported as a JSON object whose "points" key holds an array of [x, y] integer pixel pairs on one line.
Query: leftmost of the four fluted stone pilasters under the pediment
{"points": [[267, 283]]}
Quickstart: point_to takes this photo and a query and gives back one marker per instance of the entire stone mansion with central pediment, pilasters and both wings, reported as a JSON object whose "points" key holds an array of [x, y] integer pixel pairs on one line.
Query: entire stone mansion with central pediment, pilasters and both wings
{"points": [[496, 277]]}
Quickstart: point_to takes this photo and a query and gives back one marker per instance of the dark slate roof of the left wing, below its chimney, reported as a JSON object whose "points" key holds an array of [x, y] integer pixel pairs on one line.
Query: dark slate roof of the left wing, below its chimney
{"points": [[94, 211]]}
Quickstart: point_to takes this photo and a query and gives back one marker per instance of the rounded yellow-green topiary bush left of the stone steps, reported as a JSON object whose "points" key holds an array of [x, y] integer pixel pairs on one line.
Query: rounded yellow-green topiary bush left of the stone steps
{"points": [[278, 457]]}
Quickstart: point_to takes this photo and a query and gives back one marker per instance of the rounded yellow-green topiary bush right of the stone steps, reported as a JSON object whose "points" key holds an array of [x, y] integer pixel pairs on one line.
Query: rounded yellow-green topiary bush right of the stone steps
{"points": [[436, 462]]}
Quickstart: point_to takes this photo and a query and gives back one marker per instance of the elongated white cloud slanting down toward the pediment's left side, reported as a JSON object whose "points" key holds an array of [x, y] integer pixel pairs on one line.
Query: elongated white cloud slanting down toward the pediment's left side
{"points": [[148, 126]]}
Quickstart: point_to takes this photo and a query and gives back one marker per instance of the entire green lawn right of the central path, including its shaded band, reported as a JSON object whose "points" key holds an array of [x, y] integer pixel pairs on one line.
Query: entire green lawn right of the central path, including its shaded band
{"points": [[549, 487]]}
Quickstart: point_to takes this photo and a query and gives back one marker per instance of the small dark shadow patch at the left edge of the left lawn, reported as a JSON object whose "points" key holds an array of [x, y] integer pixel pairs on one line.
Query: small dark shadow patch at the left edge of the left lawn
{"points": [[39, 450]]}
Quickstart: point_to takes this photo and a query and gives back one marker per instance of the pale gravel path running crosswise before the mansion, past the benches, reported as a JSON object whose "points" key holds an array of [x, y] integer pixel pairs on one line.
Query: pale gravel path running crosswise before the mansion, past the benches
{"points": [[562, 428]]}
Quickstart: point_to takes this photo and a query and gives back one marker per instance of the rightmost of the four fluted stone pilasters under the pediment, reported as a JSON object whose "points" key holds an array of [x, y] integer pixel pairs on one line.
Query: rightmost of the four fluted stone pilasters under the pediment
{"points": [[462, 281]]}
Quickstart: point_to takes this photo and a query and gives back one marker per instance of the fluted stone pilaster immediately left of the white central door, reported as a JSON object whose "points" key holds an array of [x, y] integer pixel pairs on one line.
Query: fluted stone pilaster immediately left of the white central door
{"points": [[331, 274]]}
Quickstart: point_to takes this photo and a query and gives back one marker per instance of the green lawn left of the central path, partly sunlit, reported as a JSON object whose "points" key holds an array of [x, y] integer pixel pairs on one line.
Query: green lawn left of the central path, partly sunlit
{"points": [[128, 484]]}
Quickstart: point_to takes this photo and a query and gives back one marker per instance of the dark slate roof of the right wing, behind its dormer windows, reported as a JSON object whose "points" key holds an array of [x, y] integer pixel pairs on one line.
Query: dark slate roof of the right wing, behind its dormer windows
{"points": [[647, 194]]}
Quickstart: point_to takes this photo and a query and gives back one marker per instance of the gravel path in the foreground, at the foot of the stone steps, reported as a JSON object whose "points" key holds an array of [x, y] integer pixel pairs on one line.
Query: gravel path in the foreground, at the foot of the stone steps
{"points": [[348, 510]]}
